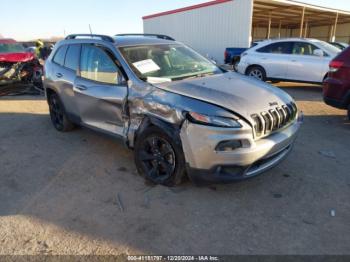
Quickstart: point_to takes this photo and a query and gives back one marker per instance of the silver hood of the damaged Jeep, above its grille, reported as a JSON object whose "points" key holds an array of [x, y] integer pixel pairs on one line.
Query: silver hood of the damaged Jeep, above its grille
{"points": [[240, 94]]}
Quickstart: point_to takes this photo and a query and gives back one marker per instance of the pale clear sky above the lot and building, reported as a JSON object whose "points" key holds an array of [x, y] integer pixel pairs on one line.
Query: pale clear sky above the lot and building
{"points": [[28, 20]]}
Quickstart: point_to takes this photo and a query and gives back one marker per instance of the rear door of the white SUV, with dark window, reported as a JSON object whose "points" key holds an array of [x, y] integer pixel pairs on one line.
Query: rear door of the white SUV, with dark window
{"points": [[274, 59]]}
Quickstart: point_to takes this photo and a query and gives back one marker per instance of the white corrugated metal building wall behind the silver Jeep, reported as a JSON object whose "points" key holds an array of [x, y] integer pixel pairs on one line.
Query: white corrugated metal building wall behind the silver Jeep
{"points": [[208, 30]]}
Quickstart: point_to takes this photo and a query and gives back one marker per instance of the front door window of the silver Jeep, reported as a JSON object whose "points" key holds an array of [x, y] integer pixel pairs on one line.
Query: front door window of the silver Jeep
{"points": [[98, 66]]}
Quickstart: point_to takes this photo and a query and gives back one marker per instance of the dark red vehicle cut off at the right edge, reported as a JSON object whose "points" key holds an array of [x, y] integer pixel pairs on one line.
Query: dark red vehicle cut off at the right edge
{"points": [[336, 87]]}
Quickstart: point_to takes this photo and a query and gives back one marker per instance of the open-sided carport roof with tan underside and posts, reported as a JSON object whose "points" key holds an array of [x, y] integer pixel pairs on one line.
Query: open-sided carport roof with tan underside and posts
{"points": [[295, 15]]}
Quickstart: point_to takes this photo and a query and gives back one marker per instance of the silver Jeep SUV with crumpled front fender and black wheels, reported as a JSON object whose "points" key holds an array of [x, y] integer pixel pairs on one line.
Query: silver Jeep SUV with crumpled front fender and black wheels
{"points": [[178, 111]]}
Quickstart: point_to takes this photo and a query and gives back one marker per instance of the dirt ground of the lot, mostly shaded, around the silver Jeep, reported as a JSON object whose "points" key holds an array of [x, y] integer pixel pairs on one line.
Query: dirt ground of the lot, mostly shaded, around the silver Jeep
{"points": [[79, 193]]}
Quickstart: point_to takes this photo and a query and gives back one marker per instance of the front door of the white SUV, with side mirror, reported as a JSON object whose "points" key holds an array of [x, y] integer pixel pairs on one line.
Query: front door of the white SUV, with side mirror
{"points": [[304, 65]]}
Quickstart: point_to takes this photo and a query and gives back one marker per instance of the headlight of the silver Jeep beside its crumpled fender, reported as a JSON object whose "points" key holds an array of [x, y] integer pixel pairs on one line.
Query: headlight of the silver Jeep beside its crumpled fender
{"points": [[213, 120]]}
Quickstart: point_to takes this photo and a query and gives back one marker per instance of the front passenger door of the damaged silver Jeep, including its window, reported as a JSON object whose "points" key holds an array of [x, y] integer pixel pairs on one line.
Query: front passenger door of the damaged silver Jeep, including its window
{"points": [[101, 90]]}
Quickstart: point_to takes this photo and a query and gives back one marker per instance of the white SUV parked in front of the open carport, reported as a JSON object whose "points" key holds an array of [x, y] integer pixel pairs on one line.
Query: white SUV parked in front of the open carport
{"points": [[293, 59]]}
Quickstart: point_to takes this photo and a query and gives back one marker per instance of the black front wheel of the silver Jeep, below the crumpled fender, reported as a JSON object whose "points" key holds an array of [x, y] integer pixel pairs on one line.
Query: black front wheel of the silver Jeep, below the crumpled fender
{"points": [[159, 158]]}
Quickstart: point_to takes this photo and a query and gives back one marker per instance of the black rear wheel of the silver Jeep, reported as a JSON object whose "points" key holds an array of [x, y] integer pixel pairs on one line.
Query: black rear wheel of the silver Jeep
{"points": [[58, 116]]}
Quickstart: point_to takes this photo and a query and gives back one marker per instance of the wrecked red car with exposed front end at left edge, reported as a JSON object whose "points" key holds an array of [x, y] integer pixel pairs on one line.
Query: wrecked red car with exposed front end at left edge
{"points": [[18, 68]]}
